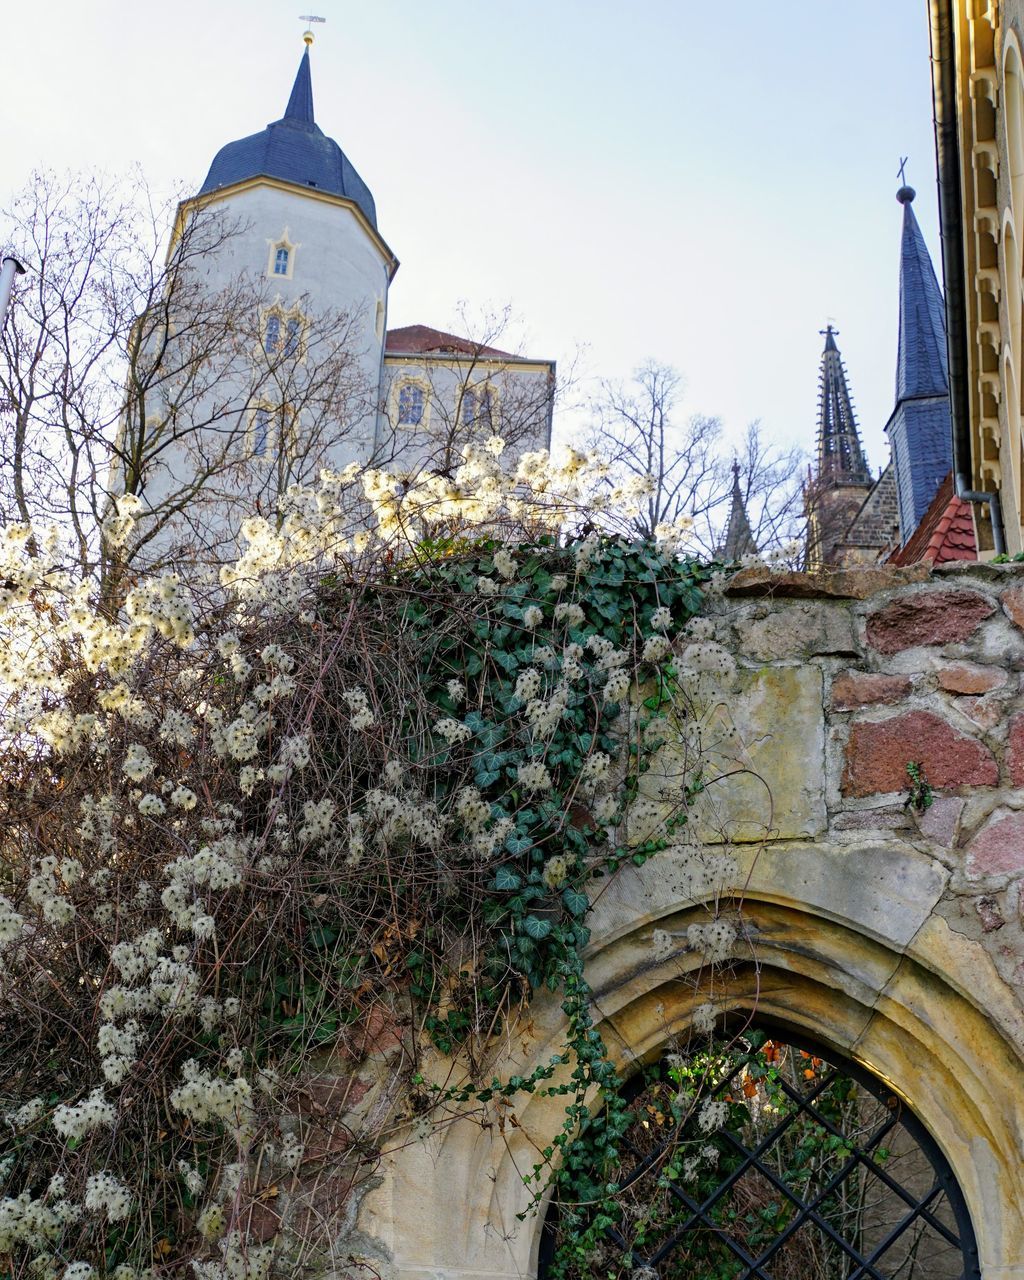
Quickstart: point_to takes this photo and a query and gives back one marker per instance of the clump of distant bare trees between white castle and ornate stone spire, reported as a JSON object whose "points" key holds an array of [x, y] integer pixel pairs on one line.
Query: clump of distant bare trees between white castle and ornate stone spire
{"points": [[642, 432]]}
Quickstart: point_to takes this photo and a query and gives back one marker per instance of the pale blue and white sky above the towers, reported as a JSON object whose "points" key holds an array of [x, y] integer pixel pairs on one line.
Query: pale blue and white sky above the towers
{"points": [[701, 185]]}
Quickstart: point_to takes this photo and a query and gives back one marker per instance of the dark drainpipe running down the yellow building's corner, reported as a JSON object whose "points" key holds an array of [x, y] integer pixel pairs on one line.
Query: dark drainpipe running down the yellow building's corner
{"points": [[950, 211]]}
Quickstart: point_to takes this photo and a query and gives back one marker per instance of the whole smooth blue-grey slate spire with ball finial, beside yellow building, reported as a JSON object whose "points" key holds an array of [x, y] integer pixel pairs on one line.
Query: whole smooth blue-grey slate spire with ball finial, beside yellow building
{"points": [[920, 429]]}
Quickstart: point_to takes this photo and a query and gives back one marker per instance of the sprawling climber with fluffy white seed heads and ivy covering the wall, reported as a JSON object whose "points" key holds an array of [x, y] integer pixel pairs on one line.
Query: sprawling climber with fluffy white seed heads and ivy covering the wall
{"points": [[368, 775]]}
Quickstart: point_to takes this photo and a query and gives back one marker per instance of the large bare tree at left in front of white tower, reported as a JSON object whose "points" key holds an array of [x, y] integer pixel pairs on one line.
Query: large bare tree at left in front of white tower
{"points": [[126, 371]]}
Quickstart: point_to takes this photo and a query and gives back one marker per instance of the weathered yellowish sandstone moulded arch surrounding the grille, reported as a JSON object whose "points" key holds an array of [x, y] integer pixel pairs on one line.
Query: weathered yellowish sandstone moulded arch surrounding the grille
{"points": [[909, 1007]]}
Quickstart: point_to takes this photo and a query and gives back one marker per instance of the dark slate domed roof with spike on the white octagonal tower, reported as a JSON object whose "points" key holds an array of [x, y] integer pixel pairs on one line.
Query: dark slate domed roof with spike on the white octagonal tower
{"points": [[296, 150]]}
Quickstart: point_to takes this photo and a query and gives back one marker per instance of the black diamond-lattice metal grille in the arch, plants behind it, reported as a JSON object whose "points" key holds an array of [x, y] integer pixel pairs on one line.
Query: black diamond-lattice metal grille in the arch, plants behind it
{"points": [[815, 1172]]}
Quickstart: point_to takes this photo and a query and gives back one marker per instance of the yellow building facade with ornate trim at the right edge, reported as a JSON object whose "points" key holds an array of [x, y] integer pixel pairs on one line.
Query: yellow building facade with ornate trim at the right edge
{"points": [[979, 94]]}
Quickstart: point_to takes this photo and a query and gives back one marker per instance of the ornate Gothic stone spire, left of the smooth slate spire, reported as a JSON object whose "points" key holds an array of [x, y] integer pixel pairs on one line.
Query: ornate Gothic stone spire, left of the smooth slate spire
{"points": [[842, 479]]}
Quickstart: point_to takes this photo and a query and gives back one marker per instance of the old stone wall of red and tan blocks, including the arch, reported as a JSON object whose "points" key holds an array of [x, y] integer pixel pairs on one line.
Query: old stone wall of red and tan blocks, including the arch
{"points": [[886, 930]]}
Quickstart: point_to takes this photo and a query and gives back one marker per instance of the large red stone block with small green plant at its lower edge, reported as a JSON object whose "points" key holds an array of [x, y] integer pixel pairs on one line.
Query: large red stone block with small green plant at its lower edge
{"points": [[879, 753]]}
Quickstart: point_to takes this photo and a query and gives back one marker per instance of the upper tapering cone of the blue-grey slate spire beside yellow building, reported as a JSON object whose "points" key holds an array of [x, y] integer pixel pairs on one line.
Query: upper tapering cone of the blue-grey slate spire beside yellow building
{"points": [[922, 364]]}
